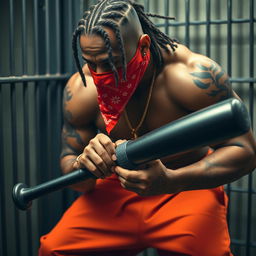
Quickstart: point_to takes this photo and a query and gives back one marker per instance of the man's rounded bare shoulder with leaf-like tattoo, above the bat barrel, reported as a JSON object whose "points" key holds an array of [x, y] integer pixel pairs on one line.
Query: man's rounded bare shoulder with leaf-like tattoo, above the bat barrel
{"points": [[194, 80]]}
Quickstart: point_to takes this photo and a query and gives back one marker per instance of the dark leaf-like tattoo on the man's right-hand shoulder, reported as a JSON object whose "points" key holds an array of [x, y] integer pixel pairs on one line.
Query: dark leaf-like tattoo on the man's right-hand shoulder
{"points": [[212, 76]]}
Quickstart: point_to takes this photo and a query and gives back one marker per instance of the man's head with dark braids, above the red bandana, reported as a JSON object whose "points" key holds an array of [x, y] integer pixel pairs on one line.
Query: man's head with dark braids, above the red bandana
{"points": [[112, 29]]}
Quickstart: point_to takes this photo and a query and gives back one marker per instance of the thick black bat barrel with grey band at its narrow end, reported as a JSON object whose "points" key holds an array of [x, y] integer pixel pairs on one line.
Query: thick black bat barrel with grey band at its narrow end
{"points": [[210, 125]]}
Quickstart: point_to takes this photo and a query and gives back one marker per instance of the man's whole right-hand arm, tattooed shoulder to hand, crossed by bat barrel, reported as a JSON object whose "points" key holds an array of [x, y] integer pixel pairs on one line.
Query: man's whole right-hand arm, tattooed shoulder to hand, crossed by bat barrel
{"points": [[205, 83]]}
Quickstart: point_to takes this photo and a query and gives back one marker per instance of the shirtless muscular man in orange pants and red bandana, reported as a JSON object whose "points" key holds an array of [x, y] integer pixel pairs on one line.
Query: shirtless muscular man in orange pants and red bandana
{"points": [[135, 80]]}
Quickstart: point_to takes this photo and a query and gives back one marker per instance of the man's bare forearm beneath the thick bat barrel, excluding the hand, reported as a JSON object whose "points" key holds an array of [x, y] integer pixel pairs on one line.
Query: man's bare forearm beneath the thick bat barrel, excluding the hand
{"points": [[223, 166]]}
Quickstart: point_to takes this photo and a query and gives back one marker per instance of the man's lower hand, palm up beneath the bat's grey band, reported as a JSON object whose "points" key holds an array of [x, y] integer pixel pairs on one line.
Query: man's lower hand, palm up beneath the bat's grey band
{"points": [[153, 179]]}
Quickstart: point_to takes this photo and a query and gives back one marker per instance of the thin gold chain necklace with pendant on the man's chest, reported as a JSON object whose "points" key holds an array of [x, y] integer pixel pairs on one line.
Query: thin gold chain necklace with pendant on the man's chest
{"points": [[135, 130]]}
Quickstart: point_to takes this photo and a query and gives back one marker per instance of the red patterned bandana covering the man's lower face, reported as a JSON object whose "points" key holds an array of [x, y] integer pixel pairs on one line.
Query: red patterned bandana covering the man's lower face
{"points": [[112, 99]]}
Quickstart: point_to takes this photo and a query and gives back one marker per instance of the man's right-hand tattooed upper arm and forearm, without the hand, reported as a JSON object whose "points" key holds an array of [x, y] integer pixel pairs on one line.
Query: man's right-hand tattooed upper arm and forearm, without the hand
{"points": [[231, 159]]}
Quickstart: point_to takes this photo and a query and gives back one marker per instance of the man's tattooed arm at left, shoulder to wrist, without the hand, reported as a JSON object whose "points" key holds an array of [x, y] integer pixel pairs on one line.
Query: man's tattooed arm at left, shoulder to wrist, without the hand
{"points": [[75, 134]]}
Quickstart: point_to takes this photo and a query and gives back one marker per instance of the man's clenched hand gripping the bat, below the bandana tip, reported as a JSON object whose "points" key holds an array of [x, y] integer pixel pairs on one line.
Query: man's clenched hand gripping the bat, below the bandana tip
{"points": [[98, 156]]}
